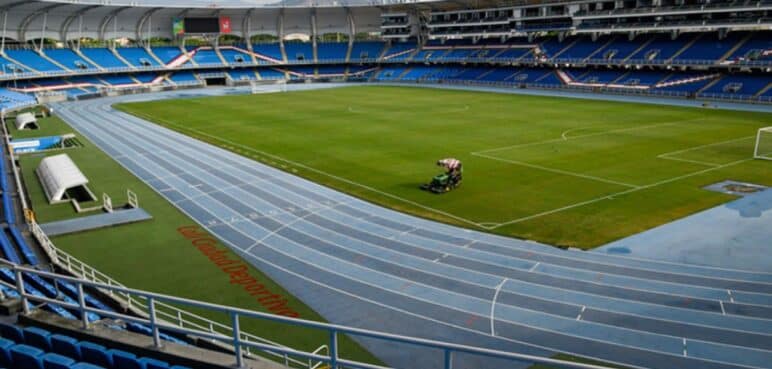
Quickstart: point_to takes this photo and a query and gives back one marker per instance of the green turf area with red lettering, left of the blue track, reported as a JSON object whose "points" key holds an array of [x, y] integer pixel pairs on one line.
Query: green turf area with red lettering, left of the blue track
{"points": [[153, 255]]}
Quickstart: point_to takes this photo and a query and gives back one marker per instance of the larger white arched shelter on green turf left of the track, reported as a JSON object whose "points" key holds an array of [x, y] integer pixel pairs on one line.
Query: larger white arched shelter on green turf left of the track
{"points": [[58, 174]]}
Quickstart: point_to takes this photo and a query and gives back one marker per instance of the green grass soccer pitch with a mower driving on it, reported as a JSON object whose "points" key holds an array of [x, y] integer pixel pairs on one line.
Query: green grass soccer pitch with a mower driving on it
{"points": [[568, 172]]}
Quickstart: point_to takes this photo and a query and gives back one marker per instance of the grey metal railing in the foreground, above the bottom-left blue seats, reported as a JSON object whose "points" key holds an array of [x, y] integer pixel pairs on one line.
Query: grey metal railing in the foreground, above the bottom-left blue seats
{"points": [[239, 343]]}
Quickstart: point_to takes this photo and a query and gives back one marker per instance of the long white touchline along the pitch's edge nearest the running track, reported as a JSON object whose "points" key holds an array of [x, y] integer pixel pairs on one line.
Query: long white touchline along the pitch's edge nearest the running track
{"points": [[366, 187]]}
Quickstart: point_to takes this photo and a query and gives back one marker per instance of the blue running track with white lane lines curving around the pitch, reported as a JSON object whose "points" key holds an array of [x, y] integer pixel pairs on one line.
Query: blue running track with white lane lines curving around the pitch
{"points": [[370, 267]]}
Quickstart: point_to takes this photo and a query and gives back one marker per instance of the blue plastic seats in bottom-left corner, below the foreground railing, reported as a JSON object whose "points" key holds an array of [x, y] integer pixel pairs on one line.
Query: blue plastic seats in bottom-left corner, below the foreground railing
{"points": [[36, 348]]}
